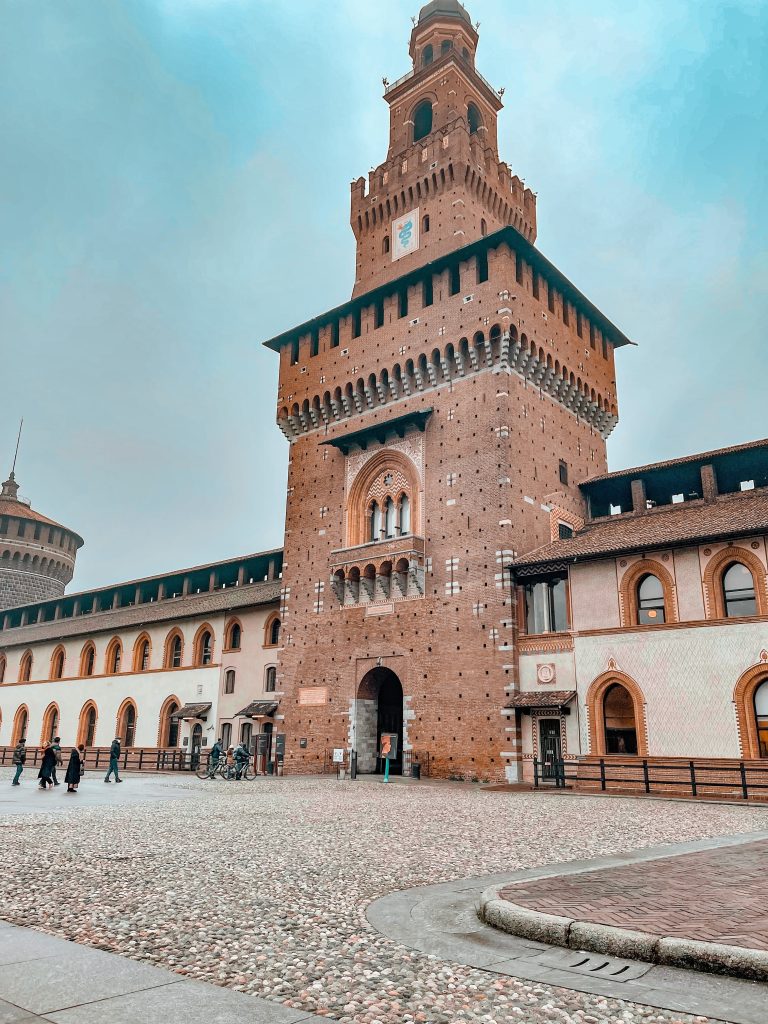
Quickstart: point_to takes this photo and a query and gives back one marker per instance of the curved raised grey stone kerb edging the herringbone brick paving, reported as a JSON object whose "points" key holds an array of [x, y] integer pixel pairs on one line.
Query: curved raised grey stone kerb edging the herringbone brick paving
{"points": [[713, 958]]}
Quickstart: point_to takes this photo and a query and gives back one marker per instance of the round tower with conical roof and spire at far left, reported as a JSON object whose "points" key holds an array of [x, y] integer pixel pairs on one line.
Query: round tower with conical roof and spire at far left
{"points": [[37, 556]]}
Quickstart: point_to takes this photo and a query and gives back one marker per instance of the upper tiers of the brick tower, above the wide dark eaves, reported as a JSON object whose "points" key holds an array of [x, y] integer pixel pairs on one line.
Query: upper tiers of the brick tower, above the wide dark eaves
{"points": [[442, 184]]}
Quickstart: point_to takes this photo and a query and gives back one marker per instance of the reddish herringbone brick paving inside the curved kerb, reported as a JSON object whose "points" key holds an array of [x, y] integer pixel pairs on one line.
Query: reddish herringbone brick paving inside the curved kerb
{"points": [[714, 897]]}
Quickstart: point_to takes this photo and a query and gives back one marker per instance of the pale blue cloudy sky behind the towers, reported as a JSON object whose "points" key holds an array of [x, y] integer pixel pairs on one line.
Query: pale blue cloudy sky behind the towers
{"points": [[175, 190]]}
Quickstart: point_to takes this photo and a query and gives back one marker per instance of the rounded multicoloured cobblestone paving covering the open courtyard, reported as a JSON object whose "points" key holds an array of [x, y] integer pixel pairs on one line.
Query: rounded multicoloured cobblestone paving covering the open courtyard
{"points": [[263, 886]]}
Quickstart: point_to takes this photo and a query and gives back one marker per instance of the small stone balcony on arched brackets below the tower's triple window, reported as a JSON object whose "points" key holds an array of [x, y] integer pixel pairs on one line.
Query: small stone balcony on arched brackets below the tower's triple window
{"points": [[380, 571]]}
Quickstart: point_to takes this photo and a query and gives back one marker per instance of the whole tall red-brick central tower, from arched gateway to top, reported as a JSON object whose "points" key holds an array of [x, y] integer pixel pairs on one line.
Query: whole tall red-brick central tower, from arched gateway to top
{"points": [[439, 422]]}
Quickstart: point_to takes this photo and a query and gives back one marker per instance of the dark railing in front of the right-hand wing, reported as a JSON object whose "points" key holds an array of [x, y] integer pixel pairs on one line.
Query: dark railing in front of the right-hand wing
{"points": [[698, 779]]}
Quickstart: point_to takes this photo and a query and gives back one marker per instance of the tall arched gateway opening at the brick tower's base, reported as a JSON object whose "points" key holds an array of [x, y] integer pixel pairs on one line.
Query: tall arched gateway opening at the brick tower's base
{"points": [[378, 709]]}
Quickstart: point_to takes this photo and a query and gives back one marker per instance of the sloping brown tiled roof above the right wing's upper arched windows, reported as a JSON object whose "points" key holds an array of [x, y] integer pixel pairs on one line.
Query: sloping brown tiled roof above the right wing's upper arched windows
{"points": [[731, 516]]}
